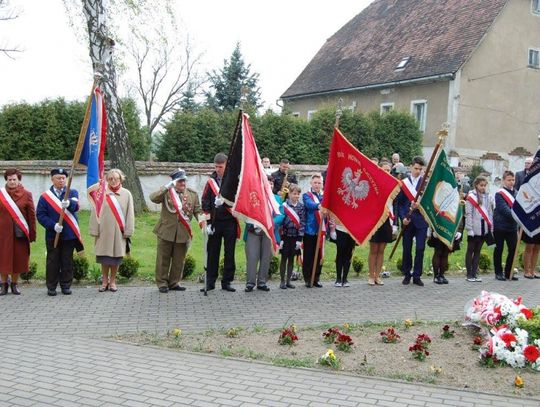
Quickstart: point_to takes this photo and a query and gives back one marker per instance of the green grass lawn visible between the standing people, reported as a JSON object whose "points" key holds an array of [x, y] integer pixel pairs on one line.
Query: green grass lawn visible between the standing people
{"points": [[144, 250]]}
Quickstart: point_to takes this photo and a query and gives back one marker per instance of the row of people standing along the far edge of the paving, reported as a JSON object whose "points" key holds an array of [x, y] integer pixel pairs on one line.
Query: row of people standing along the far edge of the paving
{"points": [[297, 225]]}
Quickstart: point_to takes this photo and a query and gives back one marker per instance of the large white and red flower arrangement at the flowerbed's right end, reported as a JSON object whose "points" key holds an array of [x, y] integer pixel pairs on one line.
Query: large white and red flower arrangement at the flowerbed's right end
{"points": [[506, 342]]}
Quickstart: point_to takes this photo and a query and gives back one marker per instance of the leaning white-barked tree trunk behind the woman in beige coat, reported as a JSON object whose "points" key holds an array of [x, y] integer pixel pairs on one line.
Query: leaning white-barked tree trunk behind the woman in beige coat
{"points": [[118, 146]]}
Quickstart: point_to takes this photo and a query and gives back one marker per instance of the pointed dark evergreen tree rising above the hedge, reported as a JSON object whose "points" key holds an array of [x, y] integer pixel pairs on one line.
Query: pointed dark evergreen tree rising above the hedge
{"points": [[226, 84]]}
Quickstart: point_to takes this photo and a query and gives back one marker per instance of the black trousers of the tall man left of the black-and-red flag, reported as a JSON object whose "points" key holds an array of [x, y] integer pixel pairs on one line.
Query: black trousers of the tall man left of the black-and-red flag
{"points": [[223, 230]]}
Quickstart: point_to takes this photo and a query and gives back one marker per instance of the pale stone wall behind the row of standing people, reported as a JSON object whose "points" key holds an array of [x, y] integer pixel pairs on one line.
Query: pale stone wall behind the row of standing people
{"points": [[36, 176]]}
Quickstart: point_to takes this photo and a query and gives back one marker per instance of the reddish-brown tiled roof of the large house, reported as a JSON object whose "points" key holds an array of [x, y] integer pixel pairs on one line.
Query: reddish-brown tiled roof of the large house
{"points": [[437, 35]]}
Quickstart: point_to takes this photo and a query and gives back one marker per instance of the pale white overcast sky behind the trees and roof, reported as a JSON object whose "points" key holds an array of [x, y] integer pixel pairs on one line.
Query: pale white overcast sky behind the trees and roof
{"points": [[278, 38]]}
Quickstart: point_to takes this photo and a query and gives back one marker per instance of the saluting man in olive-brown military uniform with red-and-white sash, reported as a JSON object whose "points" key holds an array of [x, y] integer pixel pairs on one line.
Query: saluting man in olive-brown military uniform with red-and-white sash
{"points": [[178, 206]]}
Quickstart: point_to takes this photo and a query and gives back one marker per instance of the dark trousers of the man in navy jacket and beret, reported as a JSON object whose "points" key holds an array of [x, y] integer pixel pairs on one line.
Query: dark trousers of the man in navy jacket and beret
{"points": [[59, 268]]}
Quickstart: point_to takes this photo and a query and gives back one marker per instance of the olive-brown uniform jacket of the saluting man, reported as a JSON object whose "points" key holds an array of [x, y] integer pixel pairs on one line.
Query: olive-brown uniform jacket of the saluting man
{"points": [[169, 227]]}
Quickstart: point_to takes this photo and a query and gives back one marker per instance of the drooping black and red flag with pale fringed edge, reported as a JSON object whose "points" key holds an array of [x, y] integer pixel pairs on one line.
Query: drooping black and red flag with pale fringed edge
{"points": [[246, 184]]}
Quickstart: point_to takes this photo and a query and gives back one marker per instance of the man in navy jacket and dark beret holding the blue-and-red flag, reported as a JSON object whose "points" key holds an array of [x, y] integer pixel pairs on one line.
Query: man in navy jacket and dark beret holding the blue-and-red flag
{"points": [[59, 268]]}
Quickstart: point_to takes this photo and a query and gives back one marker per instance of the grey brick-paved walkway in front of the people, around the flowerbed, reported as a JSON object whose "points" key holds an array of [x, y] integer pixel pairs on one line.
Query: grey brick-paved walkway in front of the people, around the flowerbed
{"points": [[55, 351]]}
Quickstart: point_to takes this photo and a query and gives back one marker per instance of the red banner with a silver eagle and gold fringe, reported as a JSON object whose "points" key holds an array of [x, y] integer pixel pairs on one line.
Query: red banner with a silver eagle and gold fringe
{"points": [[356, 190]]}
